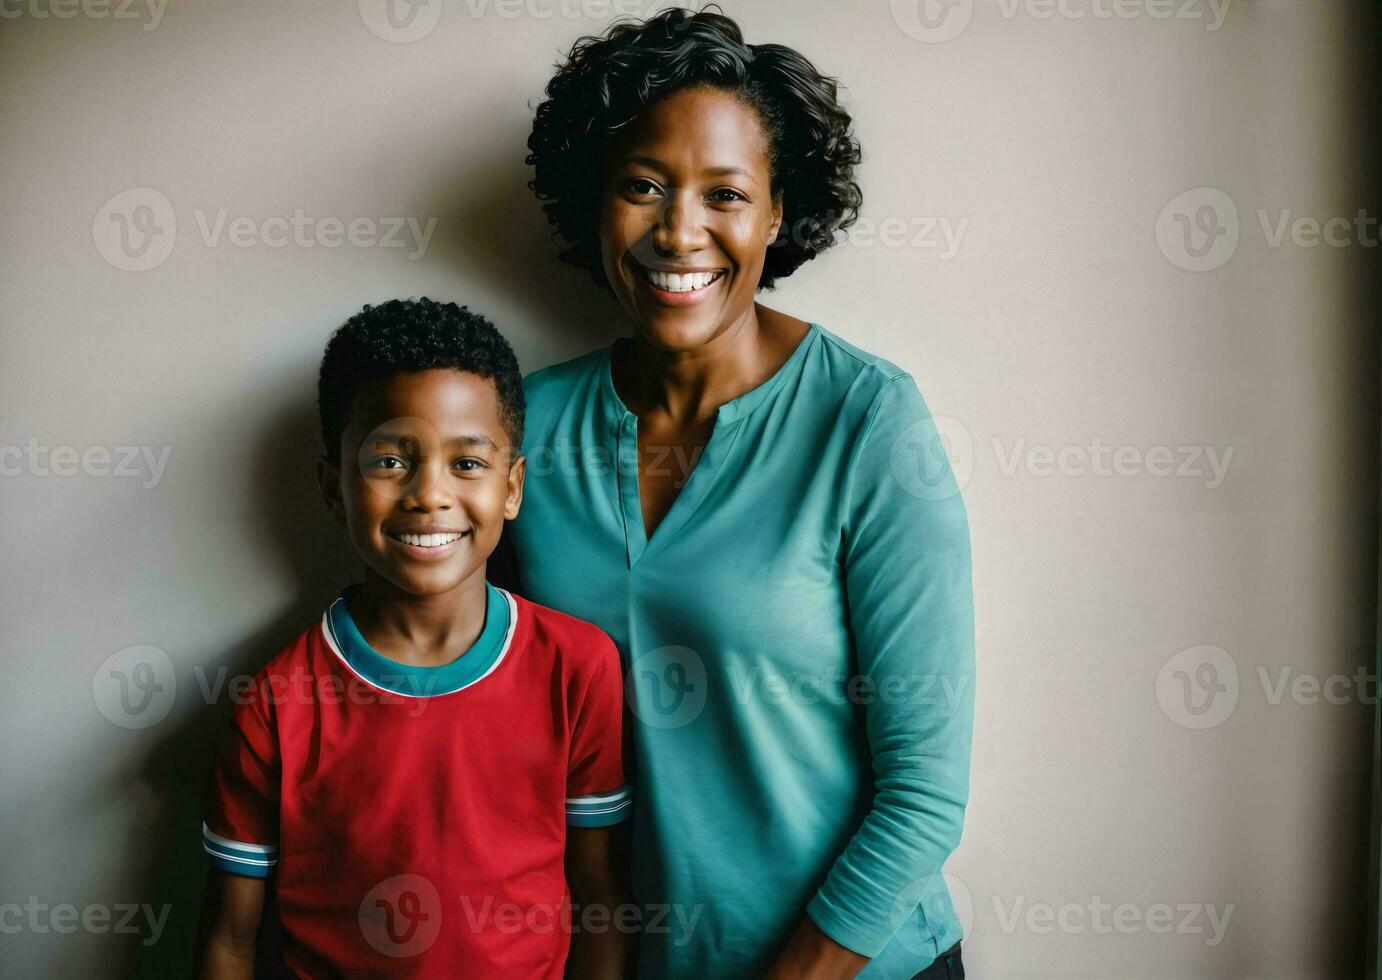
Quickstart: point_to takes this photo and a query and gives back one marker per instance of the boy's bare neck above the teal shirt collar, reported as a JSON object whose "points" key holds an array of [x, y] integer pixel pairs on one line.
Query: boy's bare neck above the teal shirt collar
{"points": [[421, 631]]}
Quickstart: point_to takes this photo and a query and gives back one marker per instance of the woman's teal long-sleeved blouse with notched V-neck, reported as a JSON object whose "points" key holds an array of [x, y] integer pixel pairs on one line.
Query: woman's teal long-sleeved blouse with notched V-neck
{"points": [[799, 646]]}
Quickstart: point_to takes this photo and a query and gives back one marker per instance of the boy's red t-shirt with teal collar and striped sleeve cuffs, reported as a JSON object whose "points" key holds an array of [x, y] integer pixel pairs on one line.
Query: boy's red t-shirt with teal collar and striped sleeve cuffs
{"points": [[415, 819]]}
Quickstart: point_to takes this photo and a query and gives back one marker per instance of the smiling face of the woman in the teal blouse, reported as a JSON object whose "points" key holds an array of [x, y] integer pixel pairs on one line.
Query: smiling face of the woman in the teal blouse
{"points": [[688, 214]]}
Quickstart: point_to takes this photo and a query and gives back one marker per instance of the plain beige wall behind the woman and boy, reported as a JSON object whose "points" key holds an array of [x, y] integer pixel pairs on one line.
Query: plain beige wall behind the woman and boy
{"points": [[1063, 309]]}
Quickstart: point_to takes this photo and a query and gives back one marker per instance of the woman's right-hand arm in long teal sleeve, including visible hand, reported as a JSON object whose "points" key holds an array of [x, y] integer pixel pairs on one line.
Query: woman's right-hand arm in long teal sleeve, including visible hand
{"points": [[909, 585]]}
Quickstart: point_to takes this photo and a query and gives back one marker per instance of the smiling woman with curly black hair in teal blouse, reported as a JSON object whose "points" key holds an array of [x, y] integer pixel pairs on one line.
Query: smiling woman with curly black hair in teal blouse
{"points": [[752, 509]]}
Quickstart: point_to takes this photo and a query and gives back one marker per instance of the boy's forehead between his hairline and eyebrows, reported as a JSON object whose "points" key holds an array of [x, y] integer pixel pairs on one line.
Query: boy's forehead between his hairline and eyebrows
{"points": [[448, 400]]}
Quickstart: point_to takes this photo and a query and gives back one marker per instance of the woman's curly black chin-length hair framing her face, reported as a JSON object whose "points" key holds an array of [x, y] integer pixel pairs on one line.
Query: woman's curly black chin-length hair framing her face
{"points": [[607, 81]]}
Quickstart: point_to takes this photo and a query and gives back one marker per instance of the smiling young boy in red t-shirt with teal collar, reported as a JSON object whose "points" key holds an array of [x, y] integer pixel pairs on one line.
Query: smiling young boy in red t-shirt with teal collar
{"points": [[422, 772]]}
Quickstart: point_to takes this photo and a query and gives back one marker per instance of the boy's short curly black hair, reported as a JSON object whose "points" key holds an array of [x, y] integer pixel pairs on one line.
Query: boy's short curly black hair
{"points": [[404, 337]]}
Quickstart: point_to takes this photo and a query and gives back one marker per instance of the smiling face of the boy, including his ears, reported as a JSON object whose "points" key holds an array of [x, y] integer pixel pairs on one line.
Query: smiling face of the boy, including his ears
{"points": [[425, 482]]}
